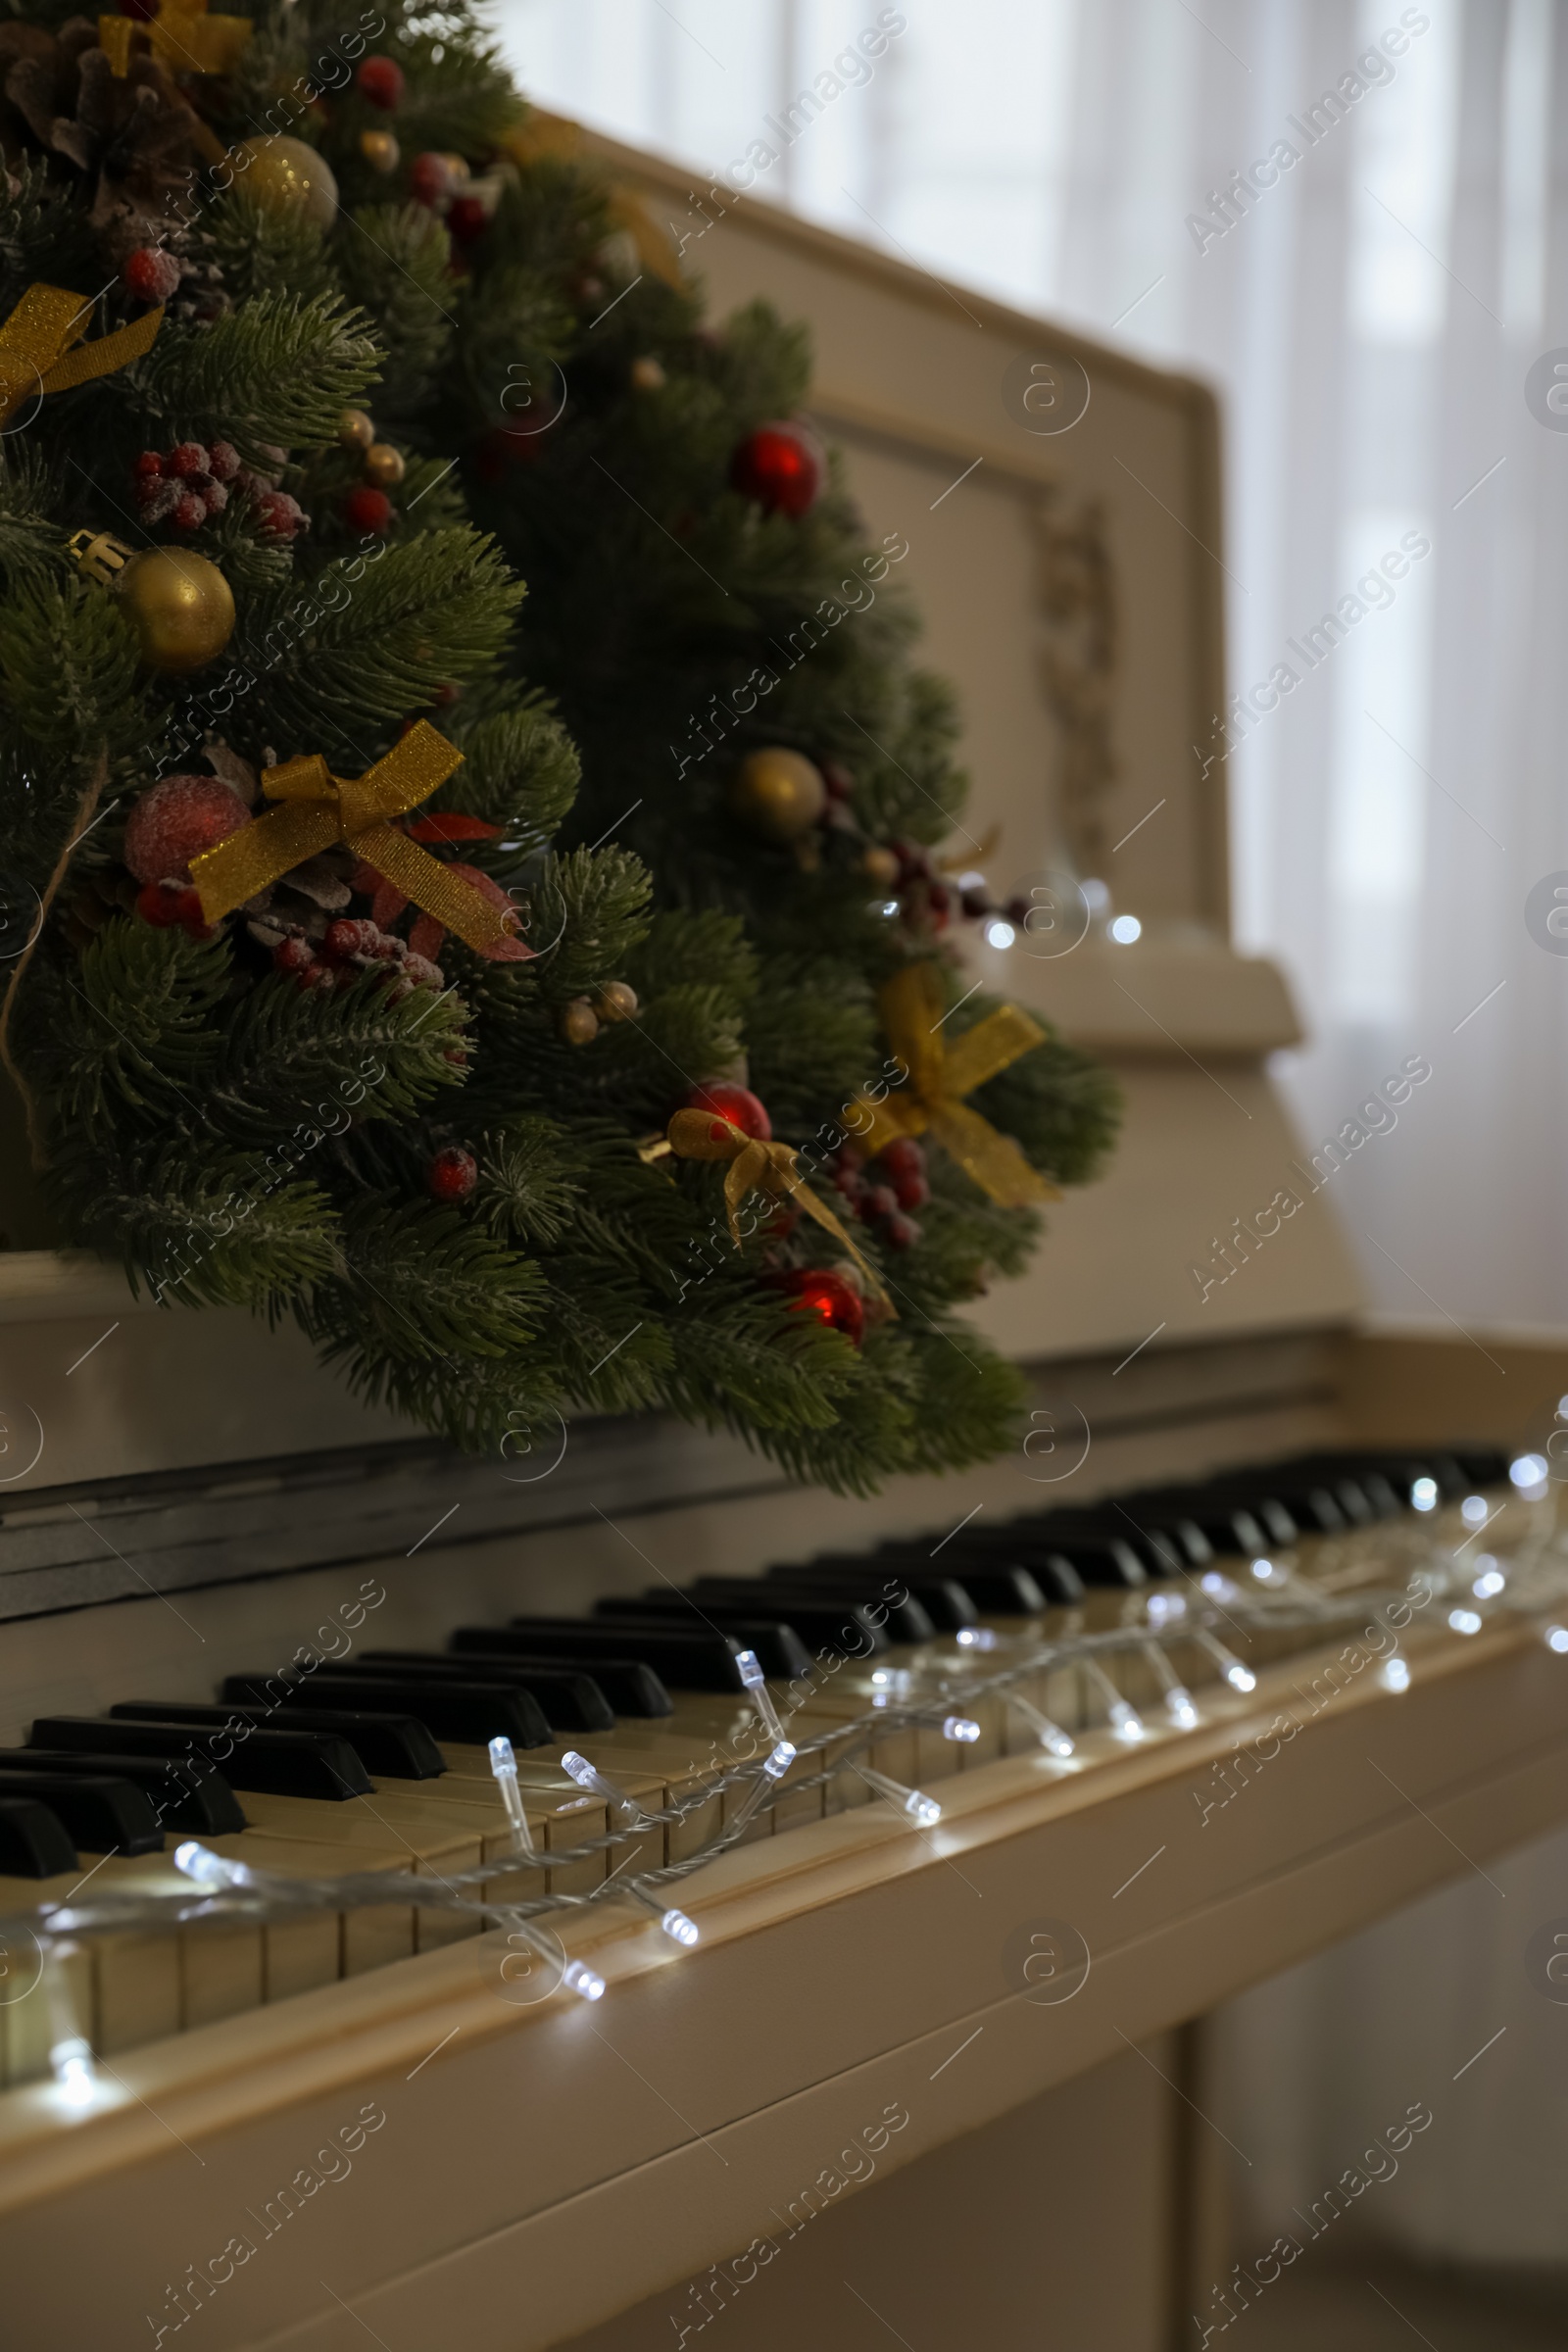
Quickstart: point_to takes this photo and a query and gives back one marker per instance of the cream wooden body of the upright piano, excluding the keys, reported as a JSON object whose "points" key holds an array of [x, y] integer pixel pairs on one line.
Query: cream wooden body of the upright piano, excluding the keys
{"points": [[415, 2156]]}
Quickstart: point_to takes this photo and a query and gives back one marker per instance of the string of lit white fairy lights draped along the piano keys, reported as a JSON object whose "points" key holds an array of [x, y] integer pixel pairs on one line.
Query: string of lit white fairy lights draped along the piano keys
{"points": [[946, 1697]]}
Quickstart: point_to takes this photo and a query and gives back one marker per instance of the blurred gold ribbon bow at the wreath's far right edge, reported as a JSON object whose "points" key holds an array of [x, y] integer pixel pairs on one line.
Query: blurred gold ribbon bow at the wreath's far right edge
{"points": [[942, 1076]]}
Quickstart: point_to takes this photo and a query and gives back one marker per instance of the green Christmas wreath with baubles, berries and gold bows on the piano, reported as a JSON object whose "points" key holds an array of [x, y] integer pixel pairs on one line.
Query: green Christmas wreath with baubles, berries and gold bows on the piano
{"points": [[547, 1001]]}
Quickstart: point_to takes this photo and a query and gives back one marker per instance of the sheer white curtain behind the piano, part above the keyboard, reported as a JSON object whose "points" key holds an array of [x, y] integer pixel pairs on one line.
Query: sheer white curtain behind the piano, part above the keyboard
{"points": [[1369, 319]]}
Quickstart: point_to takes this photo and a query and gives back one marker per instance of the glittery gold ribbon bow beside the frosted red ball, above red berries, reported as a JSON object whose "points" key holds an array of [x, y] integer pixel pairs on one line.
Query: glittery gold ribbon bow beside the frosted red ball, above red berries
{"points": [[321, 810]]}
